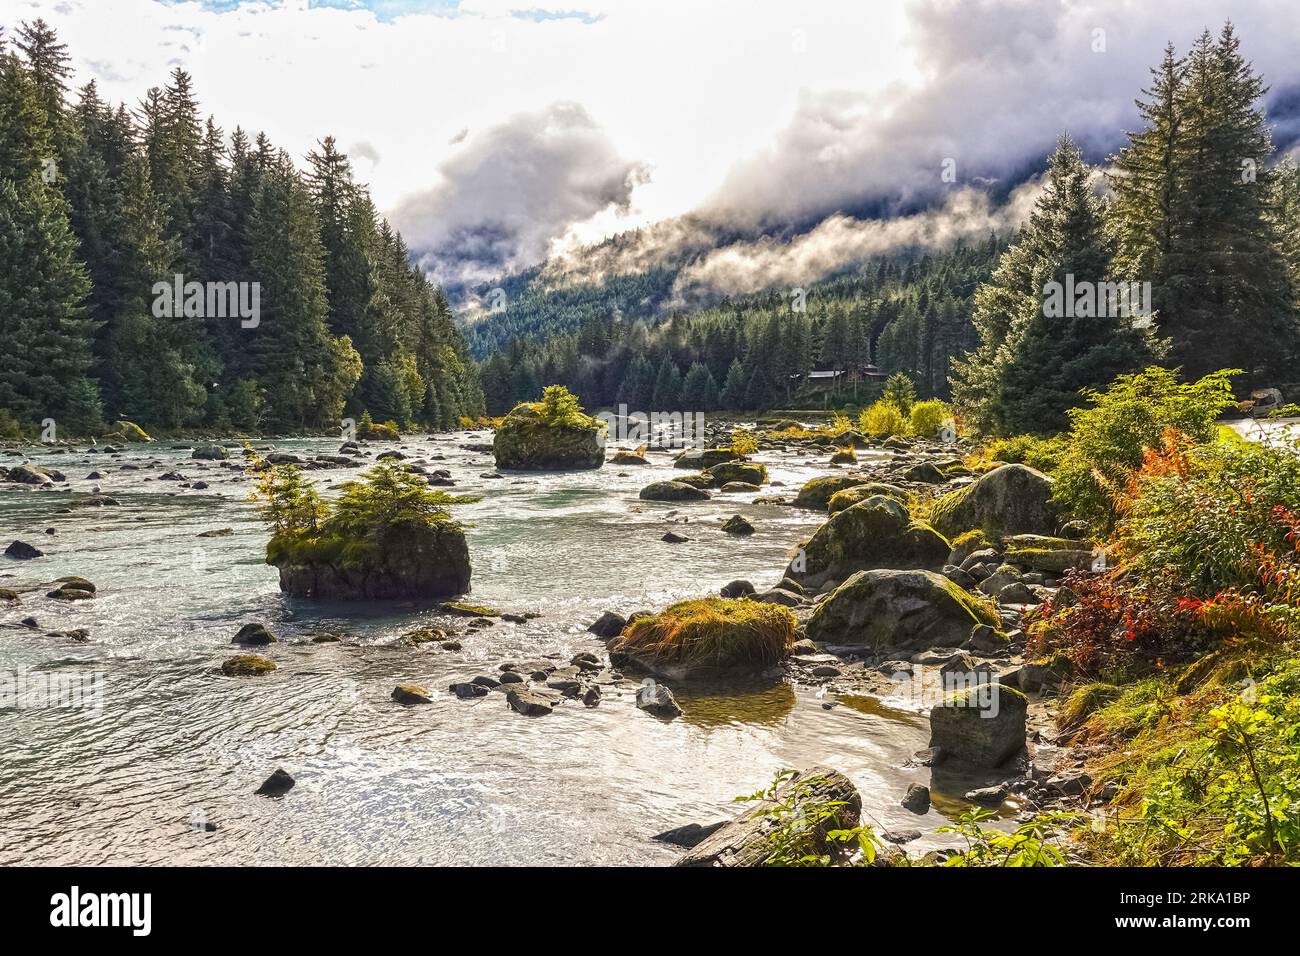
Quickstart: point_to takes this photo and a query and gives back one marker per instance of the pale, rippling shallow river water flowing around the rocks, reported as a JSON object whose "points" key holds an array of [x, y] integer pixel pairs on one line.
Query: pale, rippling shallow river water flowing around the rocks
{"points": [[175, 745]]}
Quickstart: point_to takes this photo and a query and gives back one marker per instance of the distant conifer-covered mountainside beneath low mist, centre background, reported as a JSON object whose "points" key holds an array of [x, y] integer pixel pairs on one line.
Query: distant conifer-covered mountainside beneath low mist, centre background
{"points": [[616, 343]]}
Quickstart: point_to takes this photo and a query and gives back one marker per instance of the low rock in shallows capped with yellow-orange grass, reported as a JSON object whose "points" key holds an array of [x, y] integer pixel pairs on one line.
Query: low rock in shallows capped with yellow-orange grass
{"points": [[713, 633]]}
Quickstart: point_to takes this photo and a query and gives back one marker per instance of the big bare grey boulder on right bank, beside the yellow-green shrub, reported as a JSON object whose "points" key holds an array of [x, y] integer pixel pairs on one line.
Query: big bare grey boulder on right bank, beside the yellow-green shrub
{"points": [[1011, 500]]}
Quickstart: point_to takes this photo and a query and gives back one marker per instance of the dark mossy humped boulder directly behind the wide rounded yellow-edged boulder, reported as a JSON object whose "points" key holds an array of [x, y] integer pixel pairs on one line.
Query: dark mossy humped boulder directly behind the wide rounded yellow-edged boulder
{"points": [[877, 533]]}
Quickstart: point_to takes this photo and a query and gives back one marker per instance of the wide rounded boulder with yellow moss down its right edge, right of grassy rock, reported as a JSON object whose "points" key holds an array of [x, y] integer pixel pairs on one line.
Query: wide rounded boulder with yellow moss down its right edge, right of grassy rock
{"points": [[900, 609]]}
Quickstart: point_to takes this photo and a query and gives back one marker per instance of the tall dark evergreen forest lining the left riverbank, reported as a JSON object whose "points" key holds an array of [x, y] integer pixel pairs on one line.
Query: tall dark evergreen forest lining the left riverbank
{"points": [[102, 202]]}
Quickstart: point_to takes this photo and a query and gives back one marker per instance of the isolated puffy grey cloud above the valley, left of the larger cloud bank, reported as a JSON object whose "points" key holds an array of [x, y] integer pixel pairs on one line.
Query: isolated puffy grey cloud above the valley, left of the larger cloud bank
{"points": [[510, 192]]}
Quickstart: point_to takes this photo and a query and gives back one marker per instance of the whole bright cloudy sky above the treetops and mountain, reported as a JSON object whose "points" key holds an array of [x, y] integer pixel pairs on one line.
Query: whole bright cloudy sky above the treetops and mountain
{"points": [[496, 133]]}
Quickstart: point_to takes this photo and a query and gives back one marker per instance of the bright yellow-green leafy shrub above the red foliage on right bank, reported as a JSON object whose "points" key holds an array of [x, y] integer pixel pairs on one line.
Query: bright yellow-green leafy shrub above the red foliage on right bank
{"points": [[1108, 442]]}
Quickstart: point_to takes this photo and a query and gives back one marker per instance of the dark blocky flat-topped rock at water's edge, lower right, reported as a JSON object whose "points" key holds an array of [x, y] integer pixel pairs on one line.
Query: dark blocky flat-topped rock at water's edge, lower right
{"points": [[982, 726]]}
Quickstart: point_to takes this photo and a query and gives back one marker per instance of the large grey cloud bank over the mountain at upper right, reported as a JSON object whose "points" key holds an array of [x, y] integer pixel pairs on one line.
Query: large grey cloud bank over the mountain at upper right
{"points": [[998, 83]]}
